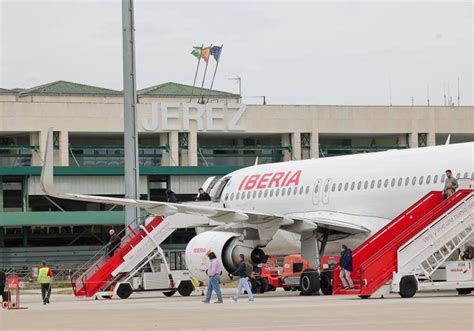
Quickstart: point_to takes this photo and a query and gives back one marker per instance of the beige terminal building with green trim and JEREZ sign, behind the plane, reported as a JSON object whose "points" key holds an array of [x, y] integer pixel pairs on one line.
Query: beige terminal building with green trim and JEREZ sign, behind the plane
{"points": [[181, 143]]}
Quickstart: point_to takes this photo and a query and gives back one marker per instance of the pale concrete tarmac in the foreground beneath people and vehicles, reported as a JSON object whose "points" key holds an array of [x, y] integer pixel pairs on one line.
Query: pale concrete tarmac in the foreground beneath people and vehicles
{"points": [[275, 310]]}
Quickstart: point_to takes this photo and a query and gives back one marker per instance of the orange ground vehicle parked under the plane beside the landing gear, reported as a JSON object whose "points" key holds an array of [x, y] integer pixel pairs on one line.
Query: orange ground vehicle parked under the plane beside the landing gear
{"points": [[288, 275]]}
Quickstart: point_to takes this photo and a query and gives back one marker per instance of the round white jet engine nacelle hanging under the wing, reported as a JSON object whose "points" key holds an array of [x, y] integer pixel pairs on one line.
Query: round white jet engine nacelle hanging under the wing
{"points": [[226, 245]]}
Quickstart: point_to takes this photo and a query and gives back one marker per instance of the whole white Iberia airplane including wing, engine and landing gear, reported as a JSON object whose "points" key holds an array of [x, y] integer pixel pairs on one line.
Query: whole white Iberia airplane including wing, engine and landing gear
{"points": [[309, 206]]}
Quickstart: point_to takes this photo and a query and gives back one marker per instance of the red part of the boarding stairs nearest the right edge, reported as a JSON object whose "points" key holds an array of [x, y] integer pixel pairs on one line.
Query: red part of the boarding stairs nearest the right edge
{"points": [[375, 260]]}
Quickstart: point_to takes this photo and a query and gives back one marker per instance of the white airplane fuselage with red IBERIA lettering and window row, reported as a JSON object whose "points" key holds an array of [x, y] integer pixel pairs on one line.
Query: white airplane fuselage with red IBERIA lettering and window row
{"points": [[372, 188]]}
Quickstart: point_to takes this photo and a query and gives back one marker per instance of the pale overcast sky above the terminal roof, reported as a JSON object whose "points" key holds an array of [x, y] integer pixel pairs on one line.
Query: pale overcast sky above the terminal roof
{"points": [[310, 52]]}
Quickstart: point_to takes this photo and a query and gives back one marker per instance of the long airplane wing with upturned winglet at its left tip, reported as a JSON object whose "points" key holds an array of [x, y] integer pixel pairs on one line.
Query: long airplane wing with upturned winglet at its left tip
{"points": [[221, 215]]}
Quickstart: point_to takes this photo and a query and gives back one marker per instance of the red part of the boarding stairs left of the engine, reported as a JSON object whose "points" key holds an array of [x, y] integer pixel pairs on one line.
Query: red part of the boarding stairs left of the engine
{"points": [[98, 275]]}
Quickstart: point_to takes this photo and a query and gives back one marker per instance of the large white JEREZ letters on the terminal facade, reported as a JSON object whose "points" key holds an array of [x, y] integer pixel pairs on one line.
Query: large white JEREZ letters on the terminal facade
{"points": [[178, 116]]}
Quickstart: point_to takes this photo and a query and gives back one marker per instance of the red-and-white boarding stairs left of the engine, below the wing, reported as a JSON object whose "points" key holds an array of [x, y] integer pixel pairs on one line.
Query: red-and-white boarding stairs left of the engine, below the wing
{"points": [[137, 248]]}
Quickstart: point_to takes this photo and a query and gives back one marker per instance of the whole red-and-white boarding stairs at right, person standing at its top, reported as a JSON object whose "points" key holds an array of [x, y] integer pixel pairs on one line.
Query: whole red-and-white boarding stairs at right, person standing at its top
{"points": [[417, 242]]}
